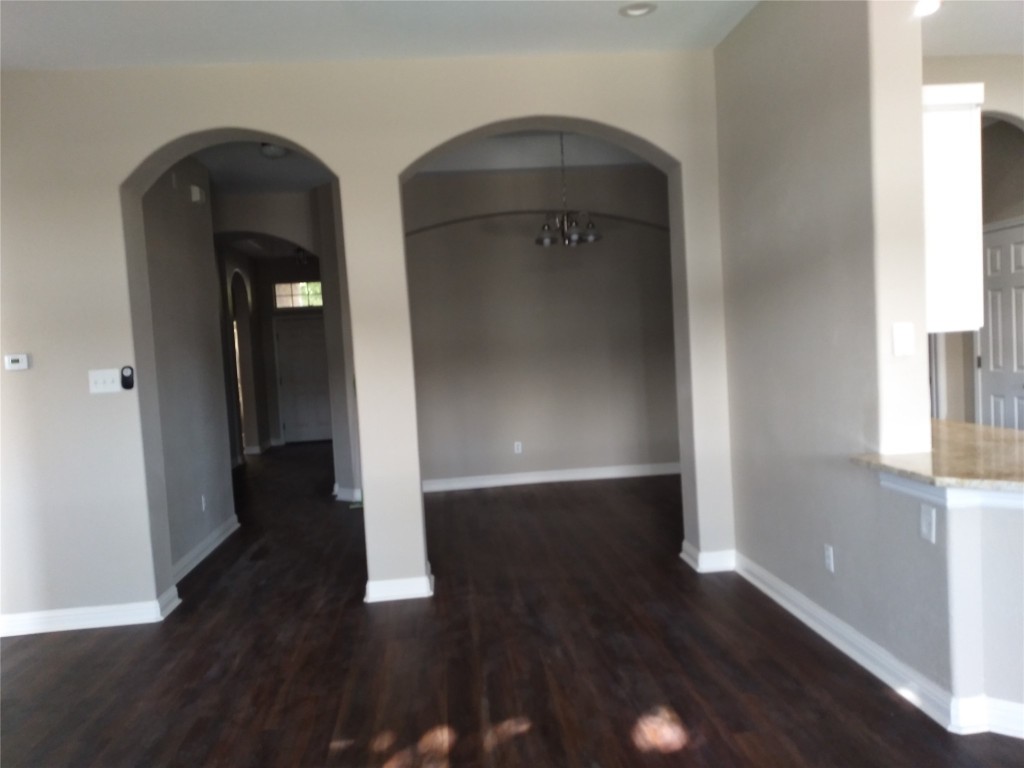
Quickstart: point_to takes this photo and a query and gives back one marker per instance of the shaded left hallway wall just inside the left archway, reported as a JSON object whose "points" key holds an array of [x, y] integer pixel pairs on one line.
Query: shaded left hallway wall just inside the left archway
{"points": [[185, 294]]}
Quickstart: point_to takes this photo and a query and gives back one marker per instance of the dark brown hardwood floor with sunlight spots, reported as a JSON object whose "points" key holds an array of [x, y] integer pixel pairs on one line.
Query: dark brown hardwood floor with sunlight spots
{"points": [[565, 632]]}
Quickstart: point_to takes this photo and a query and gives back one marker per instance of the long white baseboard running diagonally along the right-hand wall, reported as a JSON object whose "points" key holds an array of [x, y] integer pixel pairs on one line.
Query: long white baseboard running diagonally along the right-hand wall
{"points": [[915, 688]]}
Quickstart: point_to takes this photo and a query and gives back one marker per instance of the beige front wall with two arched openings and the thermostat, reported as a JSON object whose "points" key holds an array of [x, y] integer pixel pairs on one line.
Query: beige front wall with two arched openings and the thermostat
{"points": [[72, 140]]}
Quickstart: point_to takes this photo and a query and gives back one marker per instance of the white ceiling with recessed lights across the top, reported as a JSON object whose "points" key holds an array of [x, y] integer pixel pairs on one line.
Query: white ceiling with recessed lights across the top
{"points": [[96, 34]]}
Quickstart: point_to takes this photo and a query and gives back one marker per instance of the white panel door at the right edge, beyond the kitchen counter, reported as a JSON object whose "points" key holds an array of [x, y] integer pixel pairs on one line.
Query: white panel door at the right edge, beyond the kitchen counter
{"points": [[1001, 352]]}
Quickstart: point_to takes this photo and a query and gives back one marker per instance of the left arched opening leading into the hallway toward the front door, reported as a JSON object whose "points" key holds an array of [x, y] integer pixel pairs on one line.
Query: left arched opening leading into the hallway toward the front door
{"points": [[196, 323]]}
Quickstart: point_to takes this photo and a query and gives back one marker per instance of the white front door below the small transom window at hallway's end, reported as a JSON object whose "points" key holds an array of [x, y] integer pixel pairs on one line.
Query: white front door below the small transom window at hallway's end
{"points": [[303, 380]]}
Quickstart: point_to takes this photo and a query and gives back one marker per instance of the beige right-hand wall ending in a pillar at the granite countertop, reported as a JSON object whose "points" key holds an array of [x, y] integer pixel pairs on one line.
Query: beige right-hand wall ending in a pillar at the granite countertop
{"points": [[803, 130]]}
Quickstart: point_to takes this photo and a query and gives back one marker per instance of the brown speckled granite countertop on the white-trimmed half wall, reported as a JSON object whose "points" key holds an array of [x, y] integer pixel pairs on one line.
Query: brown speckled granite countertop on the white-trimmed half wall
{"points": [[964, 456]]}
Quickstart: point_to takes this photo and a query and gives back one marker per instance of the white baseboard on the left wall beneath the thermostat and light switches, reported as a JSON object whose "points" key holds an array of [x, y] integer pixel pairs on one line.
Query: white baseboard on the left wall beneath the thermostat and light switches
{"points": [[90, 617]]}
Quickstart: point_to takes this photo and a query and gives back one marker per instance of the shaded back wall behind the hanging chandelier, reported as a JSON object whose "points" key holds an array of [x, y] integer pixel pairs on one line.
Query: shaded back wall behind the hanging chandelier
{"points": [[568, 351]]}
